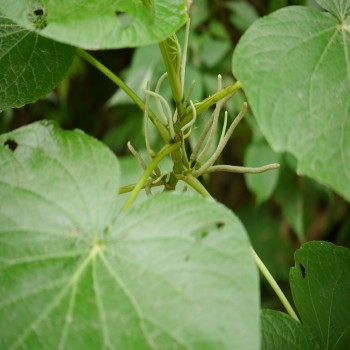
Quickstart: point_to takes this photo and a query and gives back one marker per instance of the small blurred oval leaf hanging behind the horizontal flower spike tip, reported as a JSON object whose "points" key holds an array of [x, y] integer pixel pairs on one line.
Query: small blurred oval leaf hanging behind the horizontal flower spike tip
{"points": [[262, 185]]}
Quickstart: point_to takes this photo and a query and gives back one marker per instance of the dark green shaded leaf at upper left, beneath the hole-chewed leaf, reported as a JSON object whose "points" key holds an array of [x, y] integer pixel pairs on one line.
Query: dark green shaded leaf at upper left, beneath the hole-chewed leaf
{"points": [[30, 66]]}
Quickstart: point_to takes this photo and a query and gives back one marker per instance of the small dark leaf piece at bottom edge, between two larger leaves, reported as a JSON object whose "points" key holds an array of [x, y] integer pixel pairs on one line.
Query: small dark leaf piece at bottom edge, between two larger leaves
{"points": [[280, 331]]}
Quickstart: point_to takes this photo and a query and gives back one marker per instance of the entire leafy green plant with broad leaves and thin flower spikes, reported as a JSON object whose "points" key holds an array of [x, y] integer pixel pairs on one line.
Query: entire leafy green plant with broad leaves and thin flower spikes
{"points": [[83, 266]]}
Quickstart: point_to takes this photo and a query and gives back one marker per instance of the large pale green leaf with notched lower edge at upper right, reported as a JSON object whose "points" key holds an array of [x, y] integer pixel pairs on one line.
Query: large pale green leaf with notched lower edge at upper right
{"points": [[294, 66]]}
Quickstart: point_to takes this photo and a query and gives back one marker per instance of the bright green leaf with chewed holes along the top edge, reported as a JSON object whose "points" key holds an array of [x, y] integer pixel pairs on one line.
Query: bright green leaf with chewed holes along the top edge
{"points": [[99, 24]]}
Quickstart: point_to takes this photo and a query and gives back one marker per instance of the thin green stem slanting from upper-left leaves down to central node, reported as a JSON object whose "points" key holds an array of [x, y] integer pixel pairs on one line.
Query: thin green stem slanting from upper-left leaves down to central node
{"points": [[131, 93]]}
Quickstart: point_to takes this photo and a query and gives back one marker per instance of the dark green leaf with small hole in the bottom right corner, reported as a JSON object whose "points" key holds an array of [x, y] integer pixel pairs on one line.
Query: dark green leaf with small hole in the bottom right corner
{"points": [[320, 283]]}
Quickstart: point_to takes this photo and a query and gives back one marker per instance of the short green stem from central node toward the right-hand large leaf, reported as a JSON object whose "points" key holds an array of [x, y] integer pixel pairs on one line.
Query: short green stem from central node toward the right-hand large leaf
{"points": [[210, 101]]}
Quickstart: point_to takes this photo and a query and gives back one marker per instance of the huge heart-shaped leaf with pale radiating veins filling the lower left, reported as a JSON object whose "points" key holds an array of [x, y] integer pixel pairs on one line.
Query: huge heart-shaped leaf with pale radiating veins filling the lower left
{"points": [[171, 272]]}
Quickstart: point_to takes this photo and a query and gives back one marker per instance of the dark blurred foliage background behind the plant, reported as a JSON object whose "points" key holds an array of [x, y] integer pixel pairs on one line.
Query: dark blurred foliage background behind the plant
{"points": [[279, 209]]}
